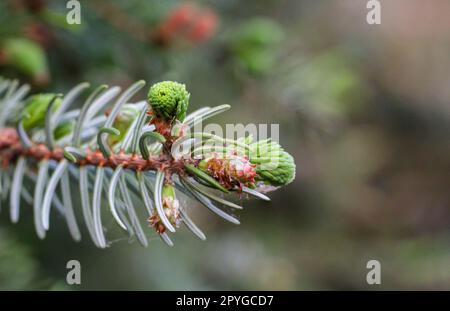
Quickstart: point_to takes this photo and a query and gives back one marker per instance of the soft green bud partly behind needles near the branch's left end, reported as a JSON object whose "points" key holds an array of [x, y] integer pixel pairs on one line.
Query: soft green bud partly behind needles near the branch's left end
{"points": [[36, 108]]}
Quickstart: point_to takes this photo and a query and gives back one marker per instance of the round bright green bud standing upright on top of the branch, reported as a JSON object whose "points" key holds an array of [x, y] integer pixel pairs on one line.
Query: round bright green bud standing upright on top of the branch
{"points": [[169, 100]]}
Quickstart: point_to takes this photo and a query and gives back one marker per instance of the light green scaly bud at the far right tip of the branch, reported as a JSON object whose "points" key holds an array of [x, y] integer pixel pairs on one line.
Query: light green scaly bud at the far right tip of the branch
{"points": [[274, 166]]}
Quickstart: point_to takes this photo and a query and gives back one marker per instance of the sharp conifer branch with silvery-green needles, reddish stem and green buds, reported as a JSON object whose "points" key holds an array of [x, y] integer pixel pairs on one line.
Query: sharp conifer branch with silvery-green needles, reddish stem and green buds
{"points": [[115, 152]]}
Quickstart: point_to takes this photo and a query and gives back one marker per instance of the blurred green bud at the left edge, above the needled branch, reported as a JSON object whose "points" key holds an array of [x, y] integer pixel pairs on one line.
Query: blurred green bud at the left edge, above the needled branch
{"points": [[27, 57]]}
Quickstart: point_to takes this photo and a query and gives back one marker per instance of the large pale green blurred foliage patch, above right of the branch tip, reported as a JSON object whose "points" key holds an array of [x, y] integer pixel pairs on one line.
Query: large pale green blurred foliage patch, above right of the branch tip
{"points": [[327, 85]]}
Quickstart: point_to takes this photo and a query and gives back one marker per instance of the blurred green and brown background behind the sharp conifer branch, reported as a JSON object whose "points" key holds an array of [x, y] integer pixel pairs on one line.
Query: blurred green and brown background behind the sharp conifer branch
{"points": [[364, 110]]}
